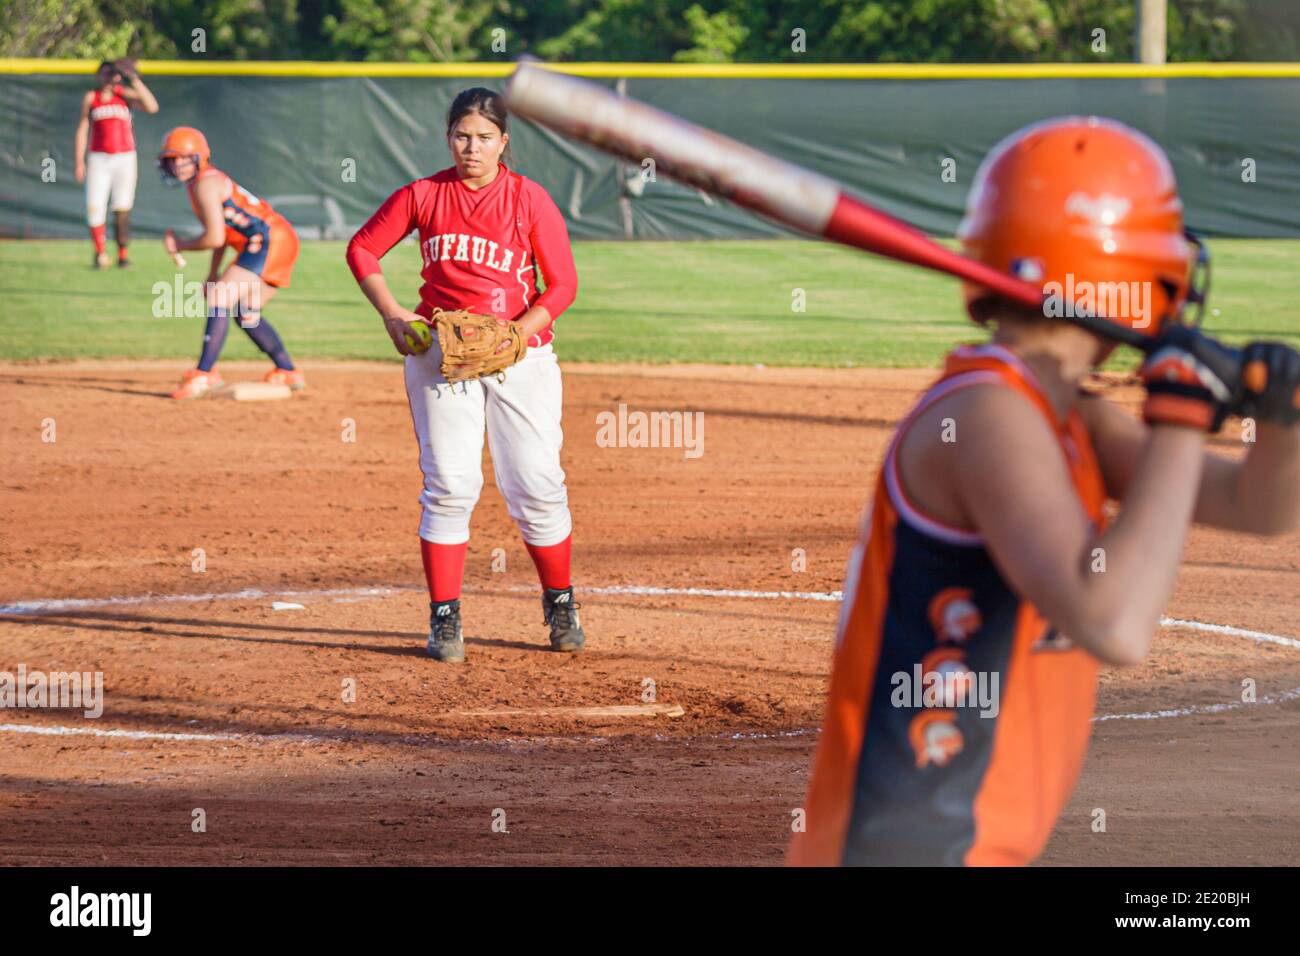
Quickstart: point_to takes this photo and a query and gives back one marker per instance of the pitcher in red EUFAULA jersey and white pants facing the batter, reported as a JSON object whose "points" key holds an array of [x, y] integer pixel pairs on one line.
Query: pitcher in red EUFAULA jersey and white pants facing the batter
{"points": [[484, 233]]}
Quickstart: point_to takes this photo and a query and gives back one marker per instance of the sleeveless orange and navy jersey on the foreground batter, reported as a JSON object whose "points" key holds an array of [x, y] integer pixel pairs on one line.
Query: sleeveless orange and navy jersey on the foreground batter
{"points": [[924, 759]]}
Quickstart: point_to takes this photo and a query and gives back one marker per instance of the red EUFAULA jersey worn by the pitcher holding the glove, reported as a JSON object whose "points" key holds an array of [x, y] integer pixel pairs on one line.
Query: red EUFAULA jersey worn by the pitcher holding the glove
{"points": [[480, 248]]}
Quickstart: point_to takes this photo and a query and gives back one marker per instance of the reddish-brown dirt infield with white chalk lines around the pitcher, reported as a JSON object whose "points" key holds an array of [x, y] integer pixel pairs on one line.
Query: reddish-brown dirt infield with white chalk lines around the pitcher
{"points": [[246, 578]]}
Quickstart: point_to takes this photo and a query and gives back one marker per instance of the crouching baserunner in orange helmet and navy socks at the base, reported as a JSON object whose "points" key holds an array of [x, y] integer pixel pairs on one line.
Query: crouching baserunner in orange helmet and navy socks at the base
{"points": [[267, 249]]}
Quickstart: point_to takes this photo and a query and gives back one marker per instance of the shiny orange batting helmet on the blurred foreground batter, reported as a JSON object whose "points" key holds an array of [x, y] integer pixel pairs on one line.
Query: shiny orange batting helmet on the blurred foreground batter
{"points": [[1090, 210]]}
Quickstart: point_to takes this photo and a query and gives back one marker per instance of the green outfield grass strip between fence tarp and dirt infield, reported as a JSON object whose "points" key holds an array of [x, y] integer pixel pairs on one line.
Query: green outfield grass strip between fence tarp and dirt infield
{"points": [[721, 302]]}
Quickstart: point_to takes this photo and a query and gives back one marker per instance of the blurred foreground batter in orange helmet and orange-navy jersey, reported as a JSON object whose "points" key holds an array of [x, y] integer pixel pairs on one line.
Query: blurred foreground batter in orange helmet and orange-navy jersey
{"points": [[989, 586]]}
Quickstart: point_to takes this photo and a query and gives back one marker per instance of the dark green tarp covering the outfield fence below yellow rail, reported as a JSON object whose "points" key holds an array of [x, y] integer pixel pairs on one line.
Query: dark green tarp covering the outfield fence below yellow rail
{"points": [[328, 150]]}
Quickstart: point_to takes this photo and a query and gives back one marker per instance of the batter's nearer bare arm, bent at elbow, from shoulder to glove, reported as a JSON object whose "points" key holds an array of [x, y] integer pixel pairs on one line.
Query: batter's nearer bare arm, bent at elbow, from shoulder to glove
{"points": [[1006, 479]]}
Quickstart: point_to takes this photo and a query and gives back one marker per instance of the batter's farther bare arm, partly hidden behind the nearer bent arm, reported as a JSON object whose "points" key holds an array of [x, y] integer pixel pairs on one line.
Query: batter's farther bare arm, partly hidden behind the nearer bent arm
{"points": [[1259, 494]]}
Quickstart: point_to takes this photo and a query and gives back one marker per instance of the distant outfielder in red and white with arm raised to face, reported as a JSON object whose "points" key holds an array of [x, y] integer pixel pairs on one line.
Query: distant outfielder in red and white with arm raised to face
{"points": [[110, 168]]}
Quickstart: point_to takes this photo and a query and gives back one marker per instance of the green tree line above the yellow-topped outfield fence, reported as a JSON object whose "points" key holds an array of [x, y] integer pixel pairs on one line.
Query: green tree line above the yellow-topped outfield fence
{"points": [[644, 31]]}
